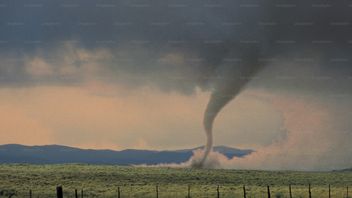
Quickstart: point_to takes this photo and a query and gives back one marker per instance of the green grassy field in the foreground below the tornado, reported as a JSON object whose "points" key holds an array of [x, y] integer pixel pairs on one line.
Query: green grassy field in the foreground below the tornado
{"points": [[103, 181]]}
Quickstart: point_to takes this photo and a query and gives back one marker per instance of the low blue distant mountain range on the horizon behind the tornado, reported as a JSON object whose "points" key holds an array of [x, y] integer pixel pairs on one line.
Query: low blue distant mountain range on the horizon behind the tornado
{"points": [[57, 154]]}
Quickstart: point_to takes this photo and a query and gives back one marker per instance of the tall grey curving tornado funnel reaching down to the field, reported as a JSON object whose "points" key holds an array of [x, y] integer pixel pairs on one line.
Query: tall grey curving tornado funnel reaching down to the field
{"points": [[228, 87]]}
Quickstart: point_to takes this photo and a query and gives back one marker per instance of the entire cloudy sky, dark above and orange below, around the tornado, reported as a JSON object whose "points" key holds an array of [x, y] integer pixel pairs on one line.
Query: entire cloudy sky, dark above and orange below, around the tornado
{"points": [[139, 74]]}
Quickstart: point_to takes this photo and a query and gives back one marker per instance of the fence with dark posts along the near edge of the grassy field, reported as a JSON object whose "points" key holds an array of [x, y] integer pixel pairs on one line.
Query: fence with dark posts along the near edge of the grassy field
{"points": [[188, 191]]}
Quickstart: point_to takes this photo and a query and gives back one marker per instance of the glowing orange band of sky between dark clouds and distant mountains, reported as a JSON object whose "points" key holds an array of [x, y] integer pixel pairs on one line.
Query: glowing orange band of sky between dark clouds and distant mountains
{"points": [[98, 115]]}
